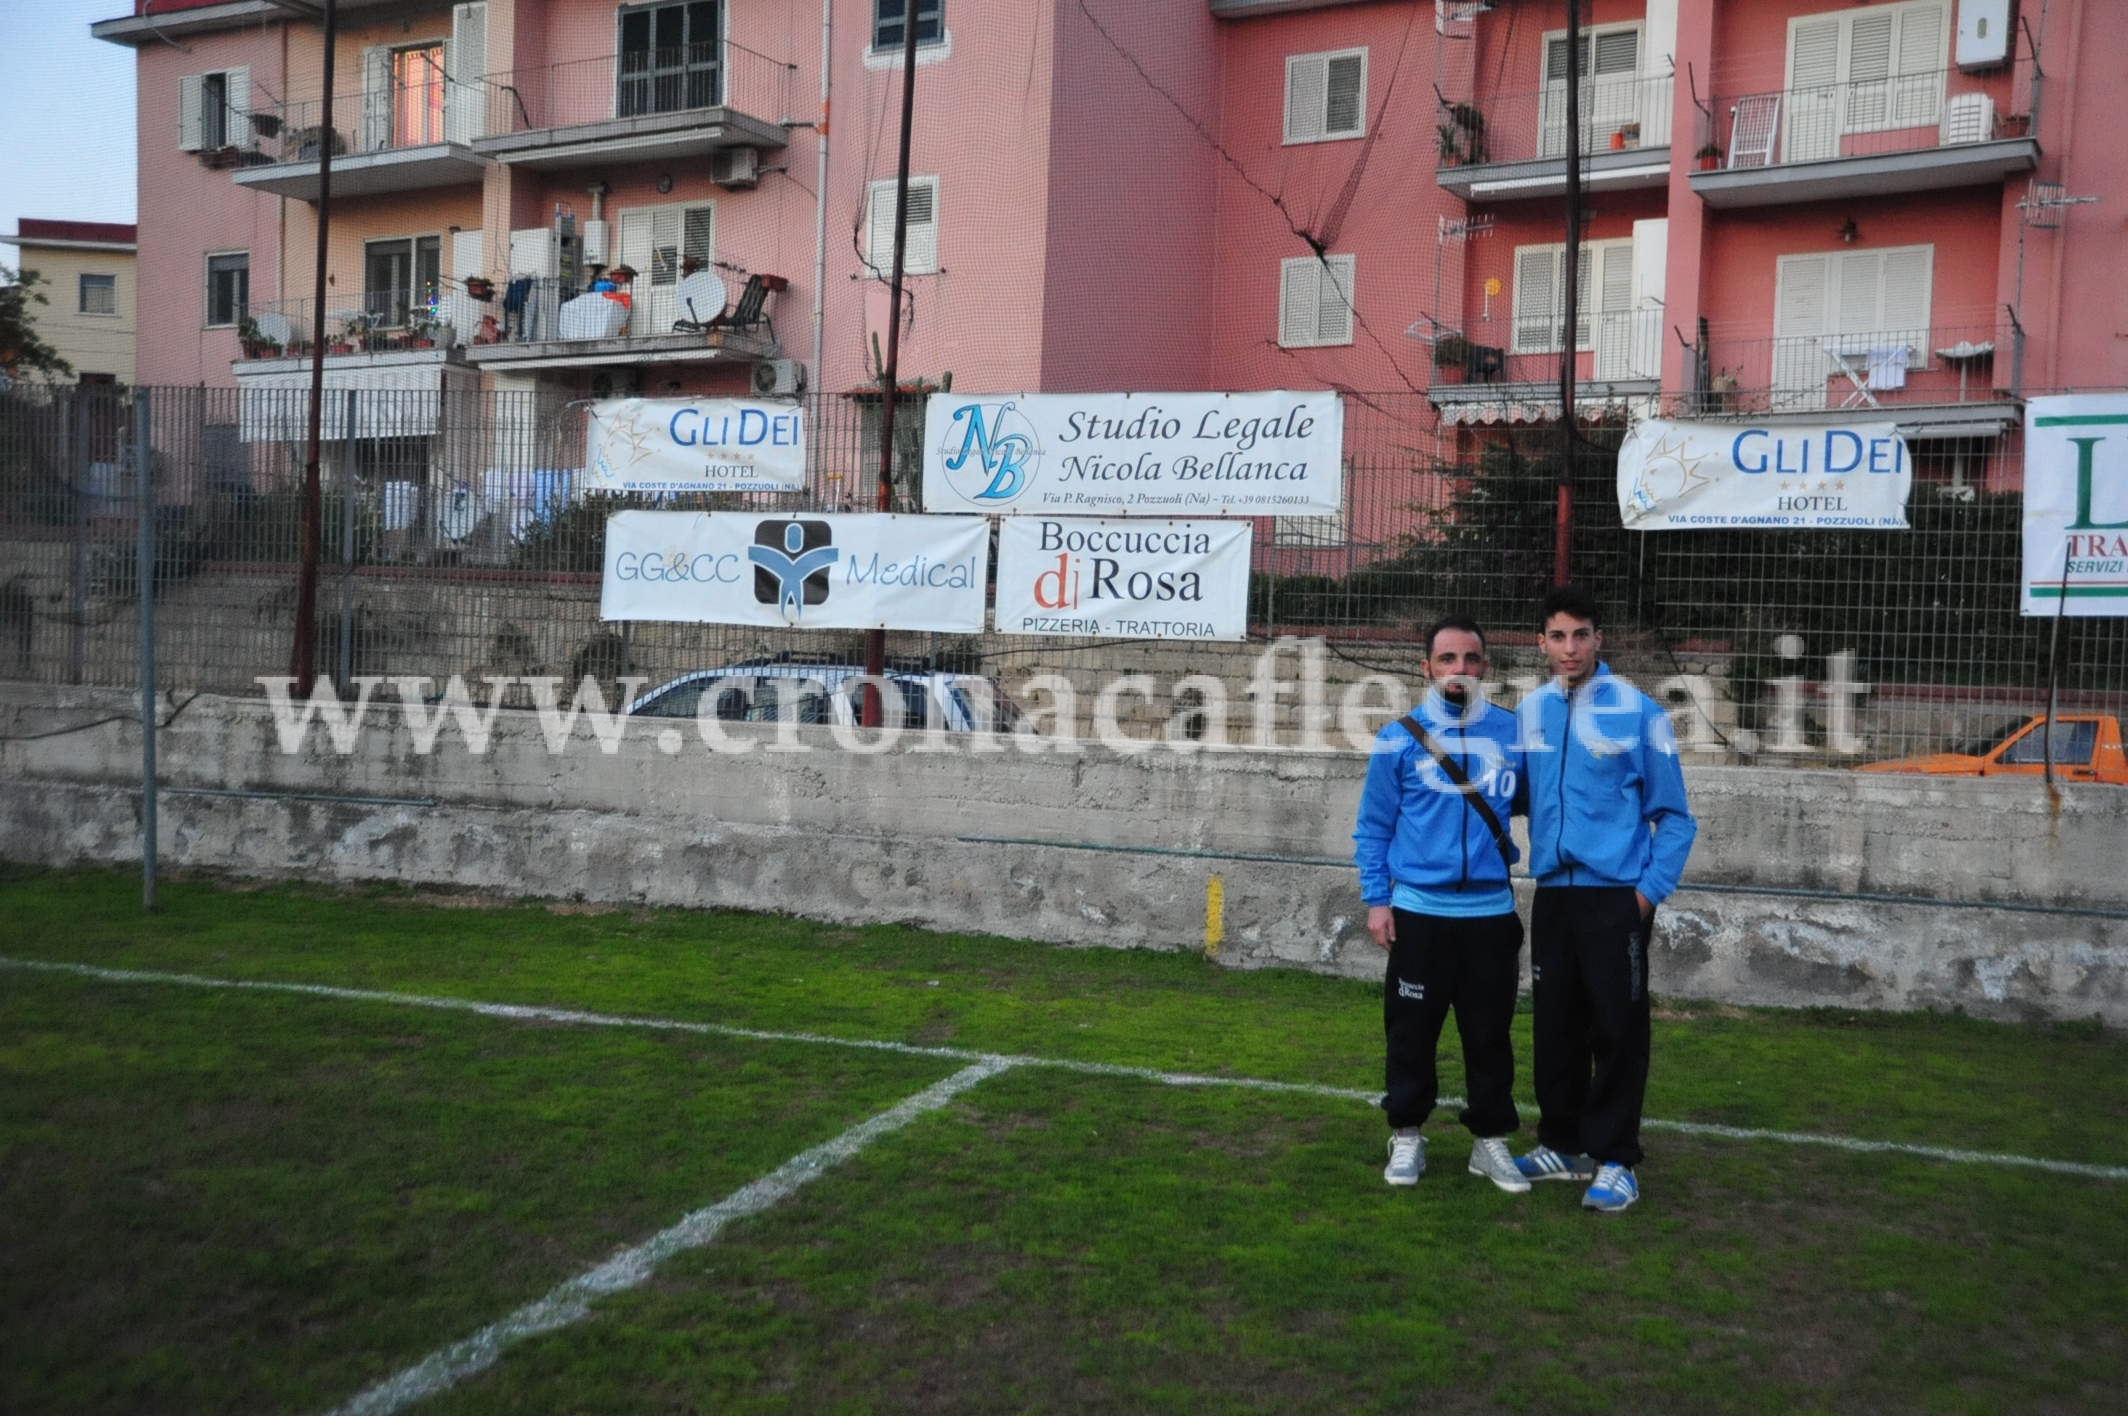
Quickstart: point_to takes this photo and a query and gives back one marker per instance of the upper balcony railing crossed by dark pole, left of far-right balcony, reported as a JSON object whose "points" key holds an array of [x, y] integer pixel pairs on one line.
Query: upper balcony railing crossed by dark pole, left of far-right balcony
{"points": [[1616, 116]]}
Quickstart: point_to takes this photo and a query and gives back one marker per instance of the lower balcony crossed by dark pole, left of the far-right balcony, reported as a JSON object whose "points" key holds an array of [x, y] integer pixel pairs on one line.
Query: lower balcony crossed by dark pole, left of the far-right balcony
{"points": [[1618, 369]]}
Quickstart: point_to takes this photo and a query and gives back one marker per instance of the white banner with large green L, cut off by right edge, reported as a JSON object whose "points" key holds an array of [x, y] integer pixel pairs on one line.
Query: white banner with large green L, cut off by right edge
{"points": [[2076, 506]]}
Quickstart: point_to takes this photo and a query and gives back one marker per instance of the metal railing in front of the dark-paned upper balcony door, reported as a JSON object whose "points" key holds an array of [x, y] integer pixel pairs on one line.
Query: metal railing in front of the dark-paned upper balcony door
{"points": [[639, 86]]}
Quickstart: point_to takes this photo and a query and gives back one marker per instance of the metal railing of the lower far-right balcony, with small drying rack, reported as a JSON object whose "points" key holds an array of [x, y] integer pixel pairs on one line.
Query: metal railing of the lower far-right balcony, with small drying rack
{"points": [[1865, 369]]}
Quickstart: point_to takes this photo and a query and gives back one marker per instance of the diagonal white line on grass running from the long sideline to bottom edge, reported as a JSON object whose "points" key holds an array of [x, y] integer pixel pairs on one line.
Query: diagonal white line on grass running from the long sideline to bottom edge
{"points": [[571, 1302]]}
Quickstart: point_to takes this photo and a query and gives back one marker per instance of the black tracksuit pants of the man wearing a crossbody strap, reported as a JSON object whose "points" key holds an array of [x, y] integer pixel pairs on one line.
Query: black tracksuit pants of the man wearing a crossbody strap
{"points": [[1467, 966]]}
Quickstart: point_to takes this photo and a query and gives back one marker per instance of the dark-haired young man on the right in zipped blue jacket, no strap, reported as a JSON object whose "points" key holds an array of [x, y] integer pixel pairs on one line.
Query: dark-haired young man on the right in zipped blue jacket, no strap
{"points": [[1610, 834]]}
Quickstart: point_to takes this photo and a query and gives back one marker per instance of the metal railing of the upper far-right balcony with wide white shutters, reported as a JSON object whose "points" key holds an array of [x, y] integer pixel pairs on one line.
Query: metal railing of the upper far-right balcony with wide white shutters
{"points": [[1906, 114]]}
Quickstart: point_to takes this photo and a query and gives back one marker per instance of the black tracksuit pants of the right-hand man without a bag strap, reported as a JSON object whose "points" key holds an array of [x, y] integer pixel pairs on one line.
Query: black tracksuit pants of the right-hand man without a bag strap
{"points": [[1589, 978]]}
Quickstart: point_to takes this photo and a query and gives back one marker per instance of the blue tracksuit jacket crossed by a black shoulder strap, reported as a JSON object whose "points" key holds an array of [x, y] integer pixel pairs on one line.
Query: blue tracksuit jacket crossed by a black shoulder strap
{"points": [[1414, 825]]}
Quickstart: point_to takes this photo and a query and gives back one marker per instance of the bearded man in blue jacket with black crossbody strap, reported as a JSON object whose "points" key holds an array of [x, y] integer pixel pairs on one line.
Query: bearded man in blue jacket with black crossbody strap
{"points": [[1433, 874]]}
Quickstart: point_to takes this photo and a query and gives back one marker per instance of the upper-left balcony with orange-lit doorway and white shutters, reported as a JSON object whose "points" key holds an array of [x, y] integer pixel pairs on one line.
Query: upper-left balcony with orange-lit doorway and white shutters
{"points": [[399, 137]]}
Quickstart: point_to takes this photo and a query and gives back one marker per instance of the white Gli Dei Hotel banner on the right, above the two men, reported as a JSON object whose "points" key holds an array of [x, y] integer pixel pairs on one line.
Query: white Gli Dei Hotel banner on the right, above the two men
{"points": [[1814, 476]]}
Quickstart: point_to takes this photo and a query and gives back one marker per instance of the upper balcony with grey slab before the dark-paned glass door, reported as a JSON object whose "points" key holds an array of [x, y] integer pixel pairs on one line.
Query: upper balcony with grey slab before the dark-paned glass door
{"points": [[637, 108]]}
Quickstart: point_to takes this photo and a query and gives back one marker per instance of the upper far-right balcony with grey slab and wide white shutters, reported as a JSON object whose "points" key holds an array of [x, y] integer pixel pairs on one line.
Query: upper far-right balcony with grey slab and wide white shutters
{"points": [[1912, 133]]}
